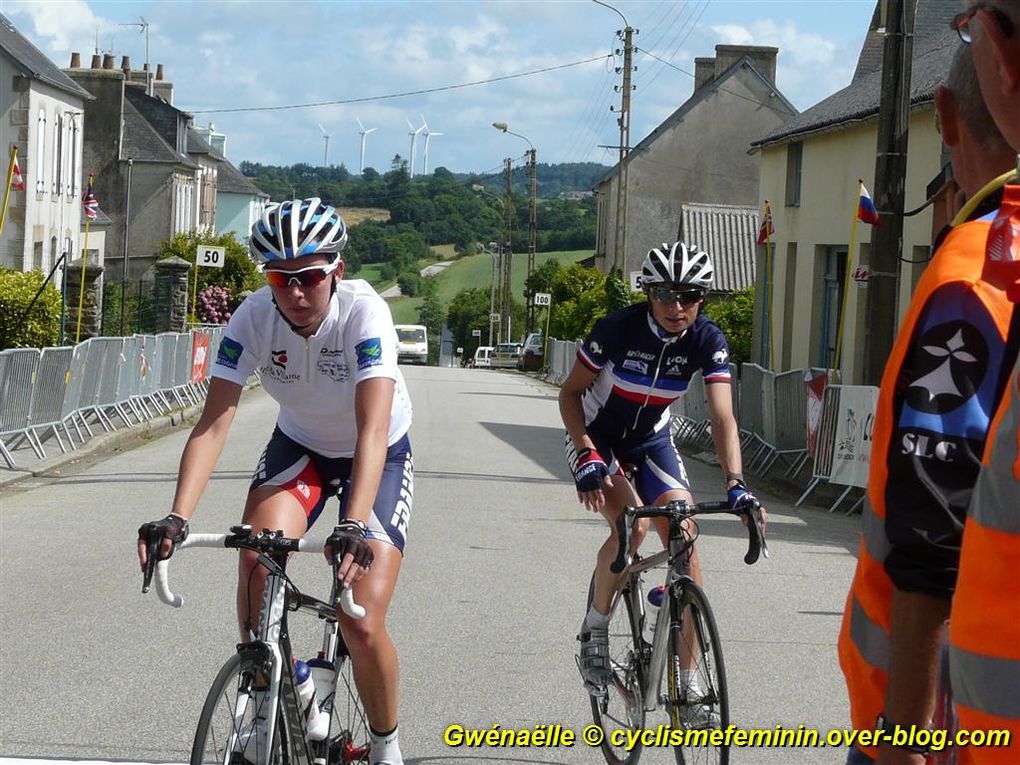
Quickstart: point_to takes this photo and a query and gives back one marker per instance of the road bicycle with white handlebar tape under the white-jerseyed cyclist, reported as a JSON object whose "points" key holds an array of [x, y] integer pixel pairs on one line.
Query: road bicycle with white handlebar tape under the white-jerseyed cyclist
{"points": [[253, 713]]}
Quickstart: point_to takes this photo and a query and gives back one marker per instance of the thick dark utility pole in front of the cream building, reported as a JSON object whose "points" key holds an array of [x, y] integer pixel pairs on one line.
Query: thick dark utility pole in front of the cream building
{"points": [[891, 173]]}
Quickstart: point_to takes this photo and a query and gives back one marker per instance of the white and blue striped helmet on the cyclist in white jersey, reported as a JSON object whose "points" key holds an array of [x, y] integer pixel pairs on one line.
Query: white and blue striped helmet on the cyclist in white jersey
{"points": [[298, 228]]}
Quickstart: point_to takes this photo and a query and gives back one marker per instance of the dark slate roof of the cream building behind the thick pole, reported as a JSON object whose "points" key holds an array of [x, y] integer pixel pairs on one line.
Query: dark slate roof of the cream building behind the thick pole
{"points": [[935, 45]]}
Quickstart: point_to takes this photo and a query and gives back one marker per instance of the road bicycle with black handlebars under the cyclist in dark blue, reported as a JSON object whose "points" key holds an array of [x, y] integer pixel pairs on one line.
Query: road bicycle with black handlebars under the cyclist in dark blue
{"points": [[685, 651]]}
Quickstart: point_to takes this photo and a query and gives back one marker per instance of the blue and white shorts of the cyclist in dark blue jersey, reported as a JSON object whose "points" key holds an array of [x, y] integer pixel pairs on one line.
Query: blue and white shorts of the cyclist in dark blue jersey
{"points": [[657, 464]]}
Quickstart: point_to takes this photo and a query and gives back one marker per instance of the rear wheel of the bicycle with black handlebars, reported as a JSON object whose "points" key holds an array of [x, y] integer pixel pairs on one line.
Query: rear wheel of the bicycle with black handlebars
{"points": [[623, 707]]}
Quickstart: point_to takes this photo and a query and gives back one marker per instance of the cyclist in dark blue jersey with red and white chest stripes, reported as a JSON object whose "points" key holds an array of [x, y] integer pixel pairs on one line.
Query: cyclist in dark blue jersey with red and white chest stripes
{"points": [[616, 406]]}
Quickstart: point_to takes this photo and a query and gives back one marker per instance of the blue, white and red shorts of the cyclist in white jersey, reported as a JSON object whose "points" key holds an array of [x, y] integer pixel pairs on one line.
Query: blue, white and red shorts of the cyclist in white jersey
{"points": [[313, 480]]}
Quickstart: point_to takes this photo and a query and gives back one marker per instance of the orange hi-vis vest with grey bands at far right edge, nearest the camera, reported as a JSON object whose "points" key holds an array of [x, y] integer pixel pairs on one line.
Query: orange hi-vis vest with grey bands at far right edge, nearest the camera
{"points": [[985, 623]]}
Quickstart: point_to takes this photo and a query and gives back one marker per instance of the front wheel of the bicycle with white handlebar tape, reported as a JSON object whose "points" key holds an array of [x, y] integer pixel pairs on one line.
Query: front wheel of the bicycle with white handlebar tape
{"points": [[220, 727]]}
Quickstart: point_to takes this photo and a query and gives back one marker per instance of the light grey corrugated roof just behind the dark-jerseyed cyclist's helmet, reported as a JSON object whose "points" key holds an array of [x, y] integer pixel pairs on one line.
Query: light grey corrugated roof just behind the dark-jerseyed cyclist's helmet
{"points": [[729, 233]]}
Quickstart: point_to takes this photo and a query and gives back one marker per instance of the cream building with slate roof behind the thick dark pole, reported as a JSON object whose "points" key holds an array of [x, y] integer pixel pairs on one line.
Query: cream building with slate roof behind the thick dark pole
{"points": [[809, 172]]}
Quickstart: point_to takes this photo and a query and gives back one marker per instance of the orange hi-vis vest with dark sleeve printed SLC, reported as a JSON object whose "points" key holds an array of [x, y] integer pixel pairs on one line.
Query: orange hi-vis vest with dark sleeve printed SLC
{"points": [[926, 454]]}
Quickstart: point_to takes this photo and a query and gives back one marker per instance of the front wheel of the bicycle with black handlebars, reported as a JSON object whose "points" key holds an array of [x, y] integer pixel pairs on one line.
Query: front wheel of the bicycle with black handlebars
{"points": [[703, 705]]}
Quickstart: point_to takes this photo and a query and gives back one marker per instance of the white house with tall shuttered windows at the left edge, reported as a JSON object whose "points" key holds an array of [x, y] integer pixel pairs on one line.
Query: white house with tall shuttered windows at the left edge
{"points": [[42, 112]]}
